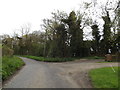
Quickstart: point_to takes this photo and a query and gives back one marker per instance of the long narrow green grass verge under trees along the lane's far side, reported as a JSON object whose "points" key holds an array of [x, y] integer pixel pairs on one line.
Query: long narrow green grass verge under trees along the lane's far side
{"points": [[50, 59]]}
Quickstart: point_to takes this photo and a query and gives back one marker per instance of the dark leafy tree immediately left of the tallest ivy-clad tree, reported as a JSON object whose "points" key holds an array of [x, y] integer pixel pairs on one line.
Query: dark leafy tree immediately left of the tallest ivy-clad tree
{"points": [[58, 45]]}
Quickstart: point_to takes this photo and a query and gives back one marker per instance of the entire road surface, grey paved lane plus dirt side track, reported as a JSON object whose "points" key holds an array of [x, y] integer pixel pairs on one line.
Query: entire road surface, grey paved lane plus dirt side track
{"points": [[36, 74]]}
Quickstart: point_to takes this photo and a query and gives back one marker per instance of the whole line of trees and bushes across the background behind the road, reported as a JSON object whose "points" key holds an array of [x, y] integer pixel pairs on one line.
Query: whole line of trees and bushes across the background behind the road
{"points": [[63, 37]]}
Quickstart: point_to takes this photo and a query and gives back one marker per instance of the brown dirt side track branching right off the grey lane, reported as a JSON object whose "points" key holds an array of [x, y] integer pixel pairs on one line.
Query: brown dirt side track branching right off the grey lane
{"points": [[77, 71]]}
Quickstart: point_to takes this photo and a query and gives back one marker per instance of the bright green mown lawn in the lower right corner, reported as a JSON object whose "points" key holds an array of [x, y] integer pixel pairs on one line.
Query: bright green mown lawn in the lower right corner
{"points": [[104, 77]]}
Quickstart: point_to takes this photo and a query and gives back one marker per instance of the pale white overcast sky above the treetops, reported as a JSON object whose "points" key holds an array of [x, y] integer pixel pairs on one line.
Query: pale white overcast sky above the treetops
{"points": [[14, 13]]}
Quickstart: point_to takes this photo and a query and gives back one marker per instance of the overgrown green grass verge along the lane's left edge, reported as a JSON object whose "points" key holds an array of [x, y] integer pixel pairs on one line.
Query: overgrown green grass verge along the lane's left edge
{"points": [[10, 65]]}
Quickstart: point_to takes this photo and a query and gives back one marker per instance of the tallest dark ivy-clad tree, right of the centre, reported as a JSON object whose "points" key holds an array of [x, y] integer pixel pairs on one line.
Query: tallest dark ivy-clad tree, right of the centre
{"points": [[75, 35]]}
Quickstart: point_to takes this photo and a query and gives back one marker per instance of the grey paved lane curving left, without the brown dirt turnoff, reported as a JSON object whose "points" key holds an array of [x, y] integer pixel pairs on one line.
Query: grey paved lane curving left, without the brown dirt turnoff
{"points": [[37, 74]]}
